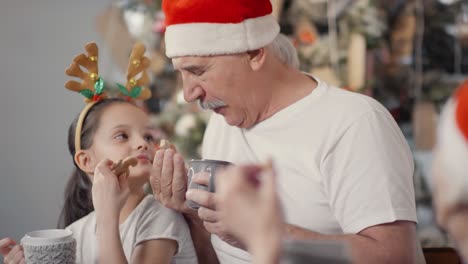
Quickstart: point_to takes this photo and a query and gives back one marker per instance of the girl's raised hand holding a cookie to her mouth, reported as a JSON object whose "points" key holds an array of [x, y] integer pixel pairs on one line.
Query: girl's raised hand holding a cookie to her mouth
{"points": [[109, 192]]}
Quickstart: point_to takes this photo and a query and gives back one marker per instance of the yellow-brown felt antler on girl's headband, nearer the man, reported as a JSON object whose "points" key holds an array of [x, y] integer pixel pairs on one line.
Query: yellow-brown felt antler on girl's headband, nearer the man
{"points": [[136, 72]]}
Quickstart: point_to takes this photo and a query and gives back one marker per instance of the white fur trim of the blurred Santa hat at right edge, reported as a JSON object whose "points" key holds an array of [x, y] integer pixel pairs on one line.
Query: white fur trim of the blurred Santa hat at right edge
{"points": [[452, 148]]}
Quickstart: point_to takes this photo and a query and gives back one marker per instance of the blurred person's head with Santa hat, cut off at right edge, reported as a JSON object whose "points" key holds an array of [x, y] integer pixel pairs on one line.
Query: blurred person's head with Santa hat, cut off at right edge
{"points": [[450, 169]]}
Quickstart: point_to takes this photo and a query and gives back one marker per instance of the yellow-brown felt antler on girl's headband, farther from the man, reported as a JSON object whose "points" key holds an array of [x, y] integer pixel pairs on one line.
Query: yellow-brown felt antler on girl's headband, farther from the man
{"points": [[90, 63]]}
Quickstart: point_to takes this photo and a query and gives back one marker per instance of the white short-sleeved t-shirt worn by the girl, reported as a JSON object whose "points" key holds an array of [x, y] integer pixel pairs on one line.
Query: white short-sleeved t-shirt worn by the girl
{"points": [[148, 221]]}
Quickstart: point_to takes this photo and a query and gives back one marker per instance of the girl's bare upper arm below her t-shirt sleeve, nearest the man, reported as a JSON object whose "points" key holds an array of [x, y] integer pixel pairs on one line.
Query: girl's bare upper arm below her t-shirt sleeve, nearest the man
{"points": [[155, 251]]}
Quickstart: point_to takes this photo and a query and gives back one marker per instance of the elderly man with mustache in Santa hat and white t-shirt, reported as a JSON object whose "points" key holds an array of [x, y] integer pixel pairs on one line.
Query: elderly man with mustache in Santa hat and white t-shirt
{"points": [[344, 170]]}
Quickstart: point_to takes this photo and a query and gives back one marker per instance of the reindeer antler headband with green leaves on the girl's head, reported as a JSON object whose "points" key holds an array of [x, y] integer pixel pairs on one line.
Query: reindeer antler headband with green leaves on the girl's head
{"points": [[92, 86]]}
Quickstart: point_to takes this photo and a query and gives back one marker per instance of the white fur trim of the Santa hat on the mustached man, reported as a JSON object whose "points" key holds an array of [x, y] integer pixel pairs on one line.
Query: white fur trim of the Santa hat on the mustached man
{"points": [[205, 39]]}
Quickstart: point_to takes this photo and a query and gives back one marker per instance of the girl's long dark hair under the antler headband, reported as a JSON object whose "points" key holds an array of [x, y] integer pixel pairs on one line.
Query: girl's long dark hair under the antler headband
{"points": [[78, 200]]}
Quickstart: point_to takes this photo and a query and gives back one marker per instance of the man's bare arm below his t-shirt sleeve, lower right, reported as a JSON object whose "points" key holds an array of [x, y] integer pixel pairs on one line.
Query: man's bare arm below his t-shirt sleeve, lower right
{"points": [[386, 243]]}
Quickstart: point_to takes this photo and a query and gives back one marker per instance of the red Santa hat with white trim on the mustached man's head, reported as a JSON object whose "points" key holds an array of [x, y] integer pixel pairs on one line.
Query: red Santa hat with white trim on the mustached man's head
{"points": [[216, 27]]}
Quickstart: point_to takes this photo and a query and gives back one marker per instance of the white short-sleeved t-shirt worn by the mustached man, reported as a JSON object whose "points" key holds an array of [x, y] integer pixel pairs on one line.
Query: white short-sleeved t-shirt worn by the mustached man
{"points": [[341, 160]]}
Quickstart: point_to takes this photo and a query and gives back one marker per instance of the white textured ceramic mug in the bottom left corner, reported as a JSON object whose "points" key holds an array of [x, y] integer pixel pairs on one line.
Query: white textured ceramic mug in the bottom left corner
{"points": [[49, 246]]}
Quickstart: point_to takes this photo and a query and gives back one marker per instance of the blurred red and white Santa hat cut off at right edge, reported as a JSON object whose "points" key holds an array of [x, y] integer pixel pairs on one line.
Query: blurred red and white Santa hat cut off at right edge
{"points": [[452, 146]]}
